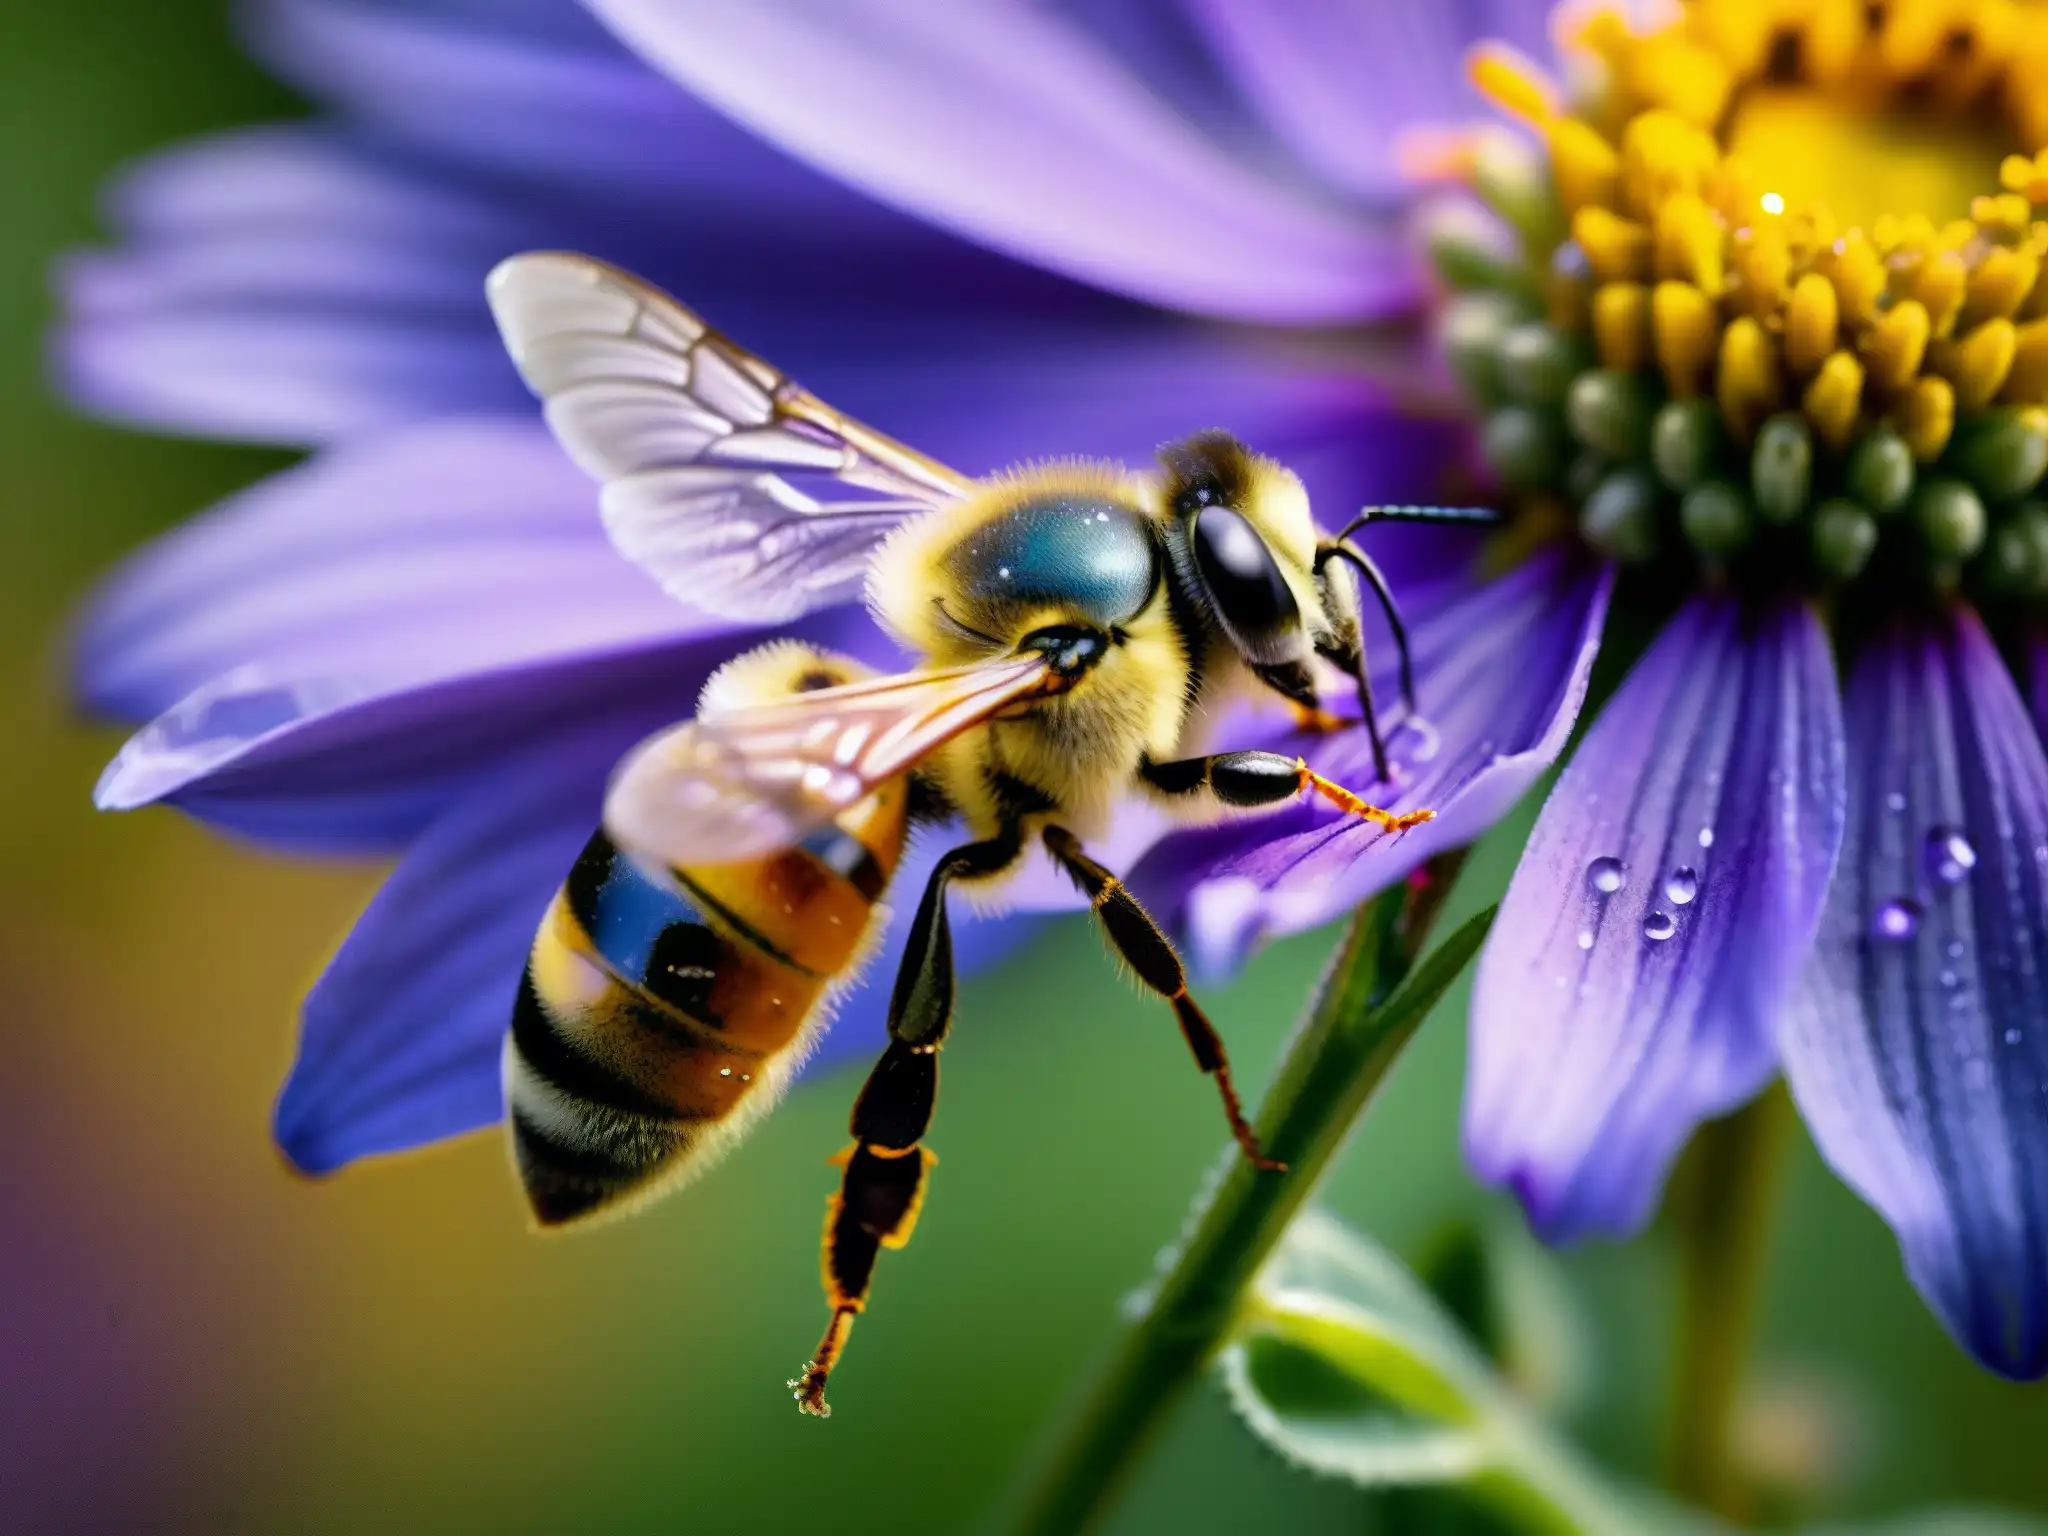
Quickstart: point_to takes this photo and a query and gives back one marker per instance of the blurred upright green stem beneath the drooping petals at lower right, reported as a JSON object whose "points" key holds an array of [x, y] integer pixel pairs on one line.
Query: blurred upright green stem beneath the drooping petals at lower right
{"points": [[1723, 1209]]}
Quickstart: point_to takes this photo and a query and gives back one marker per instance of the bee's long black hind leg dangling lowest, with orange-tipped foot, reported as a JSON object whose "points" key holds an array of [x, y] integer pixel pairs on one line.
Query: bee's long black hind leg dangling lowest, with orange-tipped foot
{"points": [[888, 1166]]}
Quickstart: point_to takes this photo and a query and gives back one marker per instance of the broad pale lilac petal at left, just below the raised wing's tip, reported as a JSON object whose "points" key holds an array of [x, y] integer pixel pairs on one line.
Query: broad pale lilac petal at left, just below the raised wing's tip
{"points": [[447, 550]]}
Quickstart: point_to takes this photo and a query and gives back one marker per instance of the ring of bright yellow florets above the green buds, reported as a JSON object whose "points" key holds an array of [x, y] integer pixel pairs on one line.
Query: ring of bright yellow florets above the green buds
{"points": [[1699, 267]]}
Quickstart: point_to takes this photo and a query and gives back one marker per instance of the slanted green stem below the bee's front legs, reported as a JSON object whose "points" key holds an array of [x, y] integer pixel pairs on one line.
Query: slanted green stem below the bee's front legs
{"points": [[1340, 1054]]}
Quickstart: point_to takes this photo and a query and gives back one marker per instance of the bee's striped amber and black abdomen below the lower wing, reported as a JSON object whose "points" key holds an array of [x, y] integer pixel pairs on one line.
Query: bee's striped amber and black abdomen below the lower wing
{"points": [[656, 1005]]}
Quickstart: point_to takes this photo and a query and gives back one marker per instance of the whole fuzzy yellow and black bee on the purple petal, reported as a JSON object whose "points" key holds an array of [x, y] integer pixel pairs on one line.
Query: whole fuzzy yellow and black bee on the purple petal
{"points": [[1072, 624]]}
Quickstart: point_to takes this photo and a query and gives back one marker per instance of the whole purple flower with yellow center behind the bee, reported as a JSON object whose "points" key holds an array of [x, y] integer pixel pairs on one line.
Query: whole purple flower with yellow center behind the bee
{"points": [[1764, 435]]}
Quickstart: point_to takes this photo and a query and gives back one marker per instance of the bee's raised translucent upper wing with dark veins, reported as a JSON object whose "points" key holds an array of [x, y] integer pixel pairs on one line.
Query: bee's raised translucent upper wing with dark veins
{"points": [[736, 490]]}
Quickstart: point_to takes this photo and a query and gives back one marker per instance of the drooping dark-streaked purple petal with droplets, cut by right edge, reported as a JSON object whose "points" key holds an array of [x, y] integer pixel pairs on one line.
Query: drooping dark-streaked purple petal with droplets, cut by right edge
{"points": [[1920, 1041]]}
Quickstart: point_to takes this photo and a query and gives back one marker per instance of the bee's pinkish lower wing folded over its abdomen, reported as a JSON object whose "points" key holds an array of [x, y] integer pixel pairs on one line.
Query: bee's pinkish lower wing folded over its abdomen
{"points": [[742, 783]]}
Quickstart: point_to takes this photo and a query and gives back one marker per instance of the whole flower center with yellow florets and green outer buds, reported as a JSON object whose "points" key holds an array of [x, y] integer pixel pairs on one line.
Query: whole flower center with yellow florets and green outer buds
{"points": [[1768, 298]]}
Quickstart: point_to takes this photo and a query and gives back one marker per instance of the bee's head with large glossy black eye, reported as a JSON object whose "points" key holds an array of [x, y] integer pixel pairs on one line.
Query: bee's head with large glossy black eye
{"points": [[1244, 552]]}
